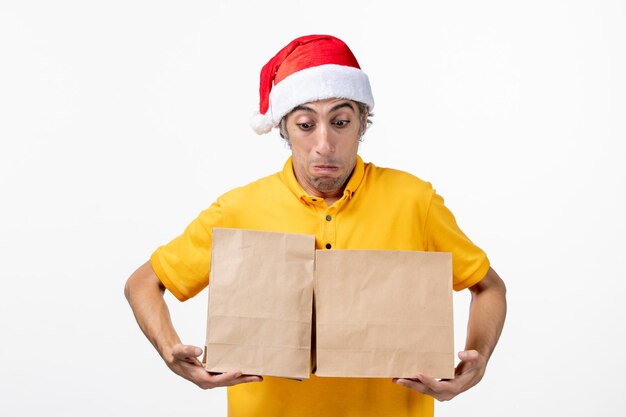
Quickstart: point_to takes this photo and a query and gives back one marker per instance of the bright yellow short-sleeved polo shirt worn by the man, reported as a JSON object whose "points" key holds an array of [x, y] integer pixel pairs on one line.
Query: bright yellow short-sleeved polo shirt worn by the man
{"points": [[380, 208]]}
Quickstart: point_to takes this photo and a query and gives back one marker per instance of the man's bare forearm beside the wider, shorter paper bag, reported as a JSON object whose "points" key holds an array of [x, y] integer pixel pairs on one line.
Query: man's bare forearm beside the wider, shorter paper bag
{"points": [[487, 314]]}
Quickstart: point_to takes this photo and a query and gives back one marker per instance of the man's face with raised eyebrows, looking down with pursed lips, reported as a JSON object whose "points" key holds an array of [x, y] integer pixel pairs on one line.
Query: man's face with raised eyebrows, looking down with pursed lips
{"points": [[324, 139]]}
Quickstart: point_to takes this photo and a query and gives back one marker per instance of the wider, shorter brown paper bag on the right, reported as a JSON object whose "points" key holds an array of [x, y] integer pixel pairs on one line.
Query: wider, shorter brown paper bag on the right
{"points": [[384, 314]]}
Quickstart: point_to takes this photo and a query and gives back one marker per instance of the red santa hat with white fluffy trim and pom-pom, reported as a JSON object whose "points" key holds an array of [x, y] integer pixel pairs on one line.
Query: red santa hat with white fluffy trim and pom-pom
{"points": [[310, 68]]}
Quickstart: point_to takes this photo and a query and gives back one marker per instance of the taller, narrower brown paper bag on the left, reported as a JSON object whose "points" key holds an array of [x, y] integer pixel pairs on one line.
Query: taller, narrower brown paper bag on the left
{"points": [[260, 303]]}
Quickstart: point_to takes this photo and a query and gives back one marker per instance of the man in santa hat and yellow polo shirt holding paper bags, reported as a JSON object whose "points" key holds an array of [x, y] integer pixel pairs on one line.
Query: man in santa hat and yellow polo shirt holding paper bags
{"points": [[314, 91]]}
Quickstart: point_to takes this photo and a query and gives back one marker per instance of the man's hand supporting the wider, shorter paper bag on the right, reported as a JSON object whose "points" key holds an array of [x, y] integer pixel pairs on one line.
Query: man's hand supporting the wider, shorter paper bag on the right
{"points": [[467, 374]]}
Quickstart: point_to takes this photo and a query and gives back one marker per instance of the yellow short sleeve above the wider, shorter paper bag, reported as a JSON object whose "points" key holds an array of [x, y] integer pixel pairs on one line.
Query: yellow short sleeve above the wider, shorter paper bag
{"points": [[442, 234]]}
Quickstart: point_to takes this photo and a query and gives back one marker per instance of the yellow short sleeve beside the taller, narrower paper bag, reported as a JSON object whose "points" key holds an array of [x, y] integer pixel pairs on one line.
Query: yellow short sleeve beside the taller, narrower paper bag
{"points": [[183, 265]]}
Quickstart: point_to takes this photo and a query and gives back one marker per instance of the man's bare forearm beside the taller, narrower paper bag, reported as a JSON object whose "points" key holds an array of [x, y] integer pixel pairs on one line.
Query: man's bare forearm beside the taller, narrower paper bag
{"points": [[144, 293]]}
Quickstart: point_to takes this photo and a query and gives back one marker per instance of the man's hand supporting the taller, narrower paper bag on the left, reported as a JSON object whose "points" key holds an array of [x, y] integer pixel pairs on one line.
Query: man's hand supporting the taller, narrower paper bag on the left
{"points": [[183, 361]]}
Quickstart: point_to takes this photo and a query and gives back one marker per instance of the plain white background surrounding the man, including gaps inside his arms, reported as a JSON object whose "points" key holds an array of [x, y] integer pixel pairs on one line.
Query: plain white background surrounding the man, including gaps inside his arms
{"points": [[121, 120]]}
